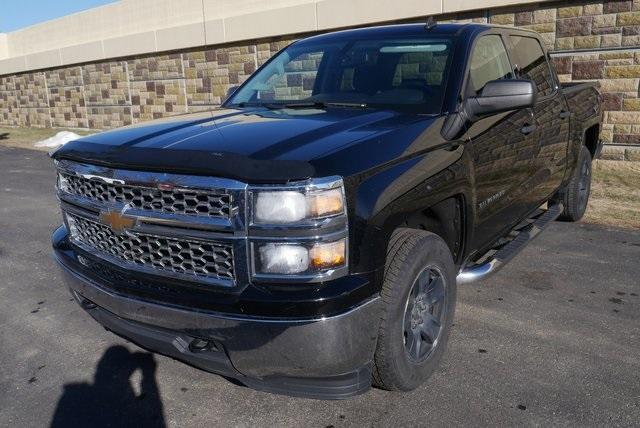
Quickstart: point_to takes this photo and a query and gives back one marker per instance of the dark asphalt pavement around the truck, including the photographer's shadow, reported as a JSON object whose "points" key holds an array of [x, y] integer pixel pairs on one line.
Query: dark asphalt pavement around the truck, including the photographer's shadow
{"points": [[554, 339]]}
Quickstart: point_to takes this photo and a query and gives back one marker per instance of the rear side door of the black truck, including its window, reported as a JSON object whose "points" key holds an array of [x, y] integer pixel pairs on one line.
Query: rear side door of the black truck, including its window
{"points": [[551, 117]]}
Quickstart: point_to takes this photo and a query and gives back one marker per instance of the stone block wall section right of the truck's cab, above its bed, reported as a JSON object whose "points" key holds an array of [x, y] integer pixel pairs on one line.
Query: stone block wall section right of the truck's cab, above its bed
{"points": [[601, 42]]}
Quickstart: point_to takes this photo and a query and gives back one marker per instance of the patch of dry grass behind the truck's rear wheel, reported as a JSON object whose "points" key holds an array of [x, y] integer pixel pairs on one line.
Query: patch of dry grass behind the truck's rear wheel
{"points": [[615, 194]]}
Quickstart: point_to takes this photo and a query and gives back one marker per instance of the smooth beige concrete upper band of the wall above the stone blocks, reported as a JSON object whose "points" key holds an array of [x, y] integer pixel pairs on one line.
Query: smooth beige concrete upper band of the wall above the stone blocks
{"points": [[134, 27]]}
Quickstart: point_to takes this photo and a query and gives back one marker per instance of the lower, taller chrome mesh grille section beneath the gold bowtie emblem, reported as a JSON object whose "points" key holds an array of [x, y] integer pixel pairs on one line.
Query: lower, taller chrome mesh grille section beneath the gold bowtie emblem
{"points": [[200, 259]]}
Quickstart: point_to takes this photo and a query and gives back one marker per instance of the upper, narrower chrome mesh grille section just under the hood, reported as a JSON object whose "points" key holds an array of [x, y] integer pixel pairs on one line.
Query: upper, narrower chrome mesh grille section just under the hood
{"points": [[171, 201]]}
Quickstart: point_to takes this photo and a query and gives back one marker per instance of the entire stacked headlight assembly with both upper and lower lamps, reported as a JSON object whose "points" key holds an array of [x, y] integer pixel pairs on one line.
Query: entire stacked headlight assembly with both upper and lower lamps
{"points": [[302, 229]]}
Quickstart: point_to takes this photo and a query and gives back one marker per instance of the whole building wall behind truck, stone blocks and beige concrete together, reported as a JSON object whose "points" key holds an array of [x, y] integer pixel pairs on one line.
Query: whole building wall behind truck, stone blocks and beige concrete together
{"points": [[138, 60]]}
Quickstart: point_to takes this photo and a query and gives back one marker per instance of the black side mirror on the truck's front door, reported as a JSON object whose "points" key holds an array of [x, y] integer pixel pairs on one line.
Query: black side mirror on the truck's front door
{"points": [[499, 96]]}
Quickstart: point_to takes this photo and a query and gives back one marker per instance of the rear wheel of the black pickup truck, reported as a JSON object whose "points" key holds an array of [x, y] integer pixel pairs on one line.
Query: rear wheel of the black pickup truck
{"points": [[576, 195]]}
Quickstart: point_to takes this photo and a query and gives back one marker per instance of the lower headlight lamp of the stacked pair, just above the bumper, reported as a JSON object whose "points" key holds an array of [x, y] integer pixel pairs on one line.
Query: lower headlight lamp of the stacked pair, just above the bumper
{"points": [[300, 258]]}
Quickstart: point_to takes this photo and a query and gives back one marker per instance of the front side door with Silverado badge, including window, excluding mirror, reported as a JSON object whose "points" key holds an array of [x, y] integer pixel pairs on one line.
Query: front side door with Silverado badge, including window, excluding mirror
{"points": [[502, 145]]}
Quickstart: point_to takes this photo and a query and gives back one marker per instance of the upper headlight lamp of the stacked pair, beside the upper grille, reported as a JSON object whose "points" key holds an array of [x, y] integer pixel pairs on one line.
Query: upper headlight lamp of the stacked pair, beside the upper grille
{"points": [[297, 205]]}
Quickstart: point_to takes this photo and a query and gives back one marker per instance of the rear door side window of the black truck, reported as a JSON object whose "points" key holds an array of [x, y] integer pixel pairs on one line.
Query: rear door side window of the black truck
{"points": [[530, 63]]}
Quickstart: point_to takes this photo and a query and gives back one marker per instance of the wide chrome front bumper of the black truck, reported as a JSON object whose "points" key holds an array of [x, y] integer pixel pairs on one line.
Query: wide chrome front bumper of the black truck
{"points": [[328, 358]]}
